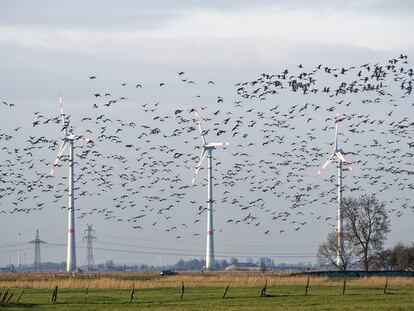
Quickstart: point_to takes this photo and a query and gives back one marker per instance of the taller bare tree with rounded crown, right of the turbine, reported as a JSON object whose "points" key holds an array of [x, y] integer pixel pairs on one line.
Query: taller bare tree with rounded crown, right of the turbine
{"points": [[366, 224]]}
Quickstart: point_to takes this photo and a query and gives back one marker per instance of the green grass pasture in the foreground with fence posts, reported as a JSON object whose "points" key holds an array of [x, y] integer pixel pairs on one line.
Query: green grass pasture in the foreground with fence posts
{"points": [[242, 298]]}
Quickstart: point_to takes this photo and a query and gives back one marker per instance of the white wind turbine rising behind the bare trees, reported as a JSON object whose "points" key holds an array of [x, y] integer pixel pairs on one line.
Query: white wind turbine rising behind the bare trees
{"points": [[339, 158]]}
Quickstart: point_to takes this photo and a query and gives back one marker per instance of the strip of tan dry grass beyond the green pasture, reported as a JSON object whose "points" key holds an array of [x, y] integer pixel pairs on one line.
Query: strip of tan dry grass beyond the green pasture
{"points": [[193, 280]]}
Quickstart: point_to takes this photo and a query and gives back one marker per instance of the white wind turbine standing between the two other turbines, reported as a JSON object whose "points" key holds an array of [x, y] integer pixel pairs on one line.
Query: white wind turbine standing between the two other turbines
{"points": [[207, 150]]}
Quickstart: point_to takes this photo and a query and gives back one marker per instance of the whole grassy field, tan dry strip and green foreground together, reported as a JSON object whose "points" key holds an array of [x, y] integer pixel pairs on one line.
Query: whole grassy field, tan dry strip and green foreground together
{"points": [[205, 293]]}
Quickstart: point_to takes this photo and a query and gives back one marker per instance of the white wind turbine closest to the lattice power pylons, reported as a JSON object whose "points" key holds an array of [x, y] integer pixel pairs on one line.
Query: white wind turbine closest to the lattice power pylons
{"points": [[69, 138]]}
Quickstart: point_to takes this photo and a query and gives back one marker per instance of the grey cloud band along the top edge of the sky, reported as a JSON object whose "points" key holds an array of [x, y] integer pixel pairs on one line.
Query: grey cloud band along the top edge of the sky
{"points": [[135, 15]]}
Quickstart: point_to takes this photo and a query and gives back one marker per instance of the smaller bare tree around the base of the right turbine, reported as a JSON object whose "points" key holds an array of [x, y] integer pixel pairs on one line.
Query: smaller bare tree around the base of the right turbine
{"points": [[328, 250]]}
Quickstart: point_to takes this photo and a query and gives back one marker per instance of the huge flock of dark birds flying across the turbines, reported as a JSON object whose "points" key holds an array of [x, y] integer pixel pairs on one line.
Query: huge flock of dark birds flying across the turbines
{"points": [[137, 168]]}
